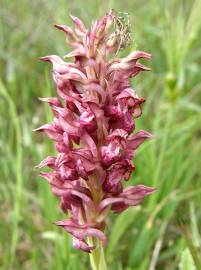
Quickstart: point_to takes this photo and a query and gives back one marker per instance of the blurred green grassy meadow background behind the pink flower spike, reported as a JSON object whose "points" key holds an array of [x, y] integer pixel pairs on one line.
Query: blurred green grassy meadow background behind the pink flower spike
{"points": [[163, 233]]}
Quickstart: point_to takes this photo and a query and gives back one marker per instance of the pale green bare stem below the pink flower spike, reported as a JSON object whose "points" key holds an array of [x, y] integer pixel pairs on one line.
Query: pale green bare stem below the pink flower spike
{"points": [[97, 257]]}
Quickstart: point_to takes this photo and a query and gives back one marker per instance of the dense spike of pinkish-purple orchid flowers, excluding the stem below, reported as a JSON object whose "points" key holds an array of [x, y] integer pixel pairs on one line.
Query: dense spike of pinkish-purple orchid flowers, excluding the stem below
{"points": [[93, 130]]}
